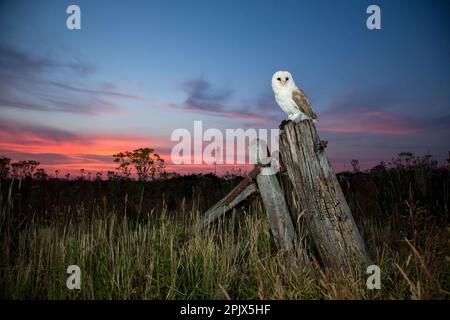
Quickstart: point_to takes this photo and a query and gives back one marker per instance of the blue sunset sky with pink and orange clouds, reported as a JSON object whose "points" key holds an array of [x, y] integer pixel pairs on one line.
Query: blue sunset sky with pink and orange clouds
{"points": [[137, 70]]}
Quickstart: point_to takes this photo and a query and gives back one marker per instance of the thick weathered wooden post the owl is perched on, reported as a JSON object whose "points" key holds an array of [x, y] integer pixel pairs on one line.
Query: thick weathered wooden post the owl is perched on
{"points": [[326, 211]]}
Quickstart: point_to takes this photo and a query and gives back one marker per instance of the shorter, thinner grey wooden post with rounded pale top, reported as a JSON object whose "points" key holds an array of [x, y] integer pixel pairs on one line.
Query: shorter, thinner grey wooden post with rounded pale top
{"points": [[277, 210]]}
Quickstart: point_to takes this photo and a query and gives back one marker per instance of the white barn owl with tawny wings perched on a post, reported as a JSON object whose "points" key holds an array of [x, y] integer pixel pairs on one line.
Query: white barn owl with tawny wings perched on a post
{"points": [[290, 98]]}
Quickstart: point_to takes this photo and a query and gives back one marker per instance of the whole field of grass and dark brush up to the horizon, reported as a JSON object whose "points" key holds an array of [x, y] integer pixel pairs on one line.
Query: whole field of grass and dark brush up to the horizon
{"points": [[143, 240]]}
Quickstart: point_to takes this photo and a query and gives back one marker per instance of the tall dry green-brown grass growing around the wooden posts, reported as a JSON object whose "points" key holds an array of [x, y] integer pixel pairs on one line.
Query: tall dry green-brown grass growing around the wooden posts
{"points": [[159, 255]]}
